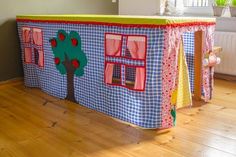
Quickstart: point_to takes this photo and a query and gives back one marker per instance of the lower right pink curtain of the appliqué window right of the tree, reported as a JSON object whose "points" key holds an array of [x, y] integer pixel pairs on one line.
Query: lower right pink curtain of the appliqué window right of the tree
{"points": [[139, 79]]}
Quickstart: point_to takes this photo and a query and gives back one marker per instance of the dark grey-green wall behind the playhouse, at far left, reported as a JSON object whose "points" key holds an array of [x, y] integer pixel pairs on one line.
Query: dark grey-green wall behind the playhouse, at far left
{"points": [[10, 66]]}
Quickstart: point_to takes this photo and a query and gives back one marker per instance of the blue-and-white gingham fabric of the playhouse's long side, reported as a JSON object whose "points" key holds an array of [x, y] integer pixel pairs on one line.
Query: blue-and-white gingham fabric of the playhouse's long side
{"points": [[140, 108]]}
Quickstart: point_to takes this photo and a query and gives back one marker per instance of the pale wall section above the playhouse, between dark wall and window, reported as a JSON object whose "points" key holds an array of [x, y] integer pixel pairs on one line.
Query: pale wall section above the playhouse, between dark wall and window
{"points": [[139, 7]]}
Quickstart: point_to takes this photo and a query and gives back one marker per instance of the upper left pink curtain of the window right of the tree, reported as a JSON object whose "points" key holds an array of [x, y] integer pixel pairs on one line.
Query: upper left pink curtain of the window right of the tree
{"points": [[113, 47]]}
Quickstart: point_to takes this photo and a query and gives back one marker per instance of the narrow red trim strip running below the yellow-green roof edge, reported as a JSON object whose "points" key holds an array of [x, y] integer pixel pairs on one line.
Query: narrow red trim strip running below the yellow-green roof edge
{"points": [[118, 24]]}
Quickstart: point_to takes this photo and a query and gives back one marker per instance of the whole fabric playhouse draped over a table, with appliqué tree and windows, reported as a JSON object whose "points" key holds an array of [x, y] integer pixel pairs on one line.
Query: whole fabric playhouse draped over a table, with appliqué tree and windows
{"points": [[138, 69]]}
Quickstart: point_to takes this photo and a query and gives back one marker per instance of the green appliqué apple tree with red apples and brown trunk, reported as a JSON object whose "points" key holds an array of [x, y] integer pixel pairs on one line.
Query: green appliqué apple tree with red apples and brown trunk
{"points": [[69, 58]]}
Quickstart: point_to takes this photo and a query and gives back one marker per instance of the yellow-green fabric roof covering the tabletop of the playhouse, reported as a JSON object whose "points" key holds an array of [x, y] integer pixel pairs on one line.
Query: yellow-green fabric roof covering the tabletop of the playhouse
{"points": [[159, 20]]}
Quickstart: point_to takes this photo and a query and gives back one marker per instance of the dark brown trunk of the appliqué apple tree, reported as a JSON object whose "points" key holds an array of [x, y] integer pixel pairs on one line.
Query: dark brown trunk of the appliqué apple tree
{"points": [[70, 79]]}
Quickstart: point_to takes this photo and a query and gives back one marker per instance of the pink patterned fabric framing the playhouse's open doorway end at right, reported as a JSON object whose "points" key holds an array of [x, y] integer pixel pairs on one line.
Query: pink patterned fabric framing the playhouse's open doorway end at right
{"points": [[170, 67]]}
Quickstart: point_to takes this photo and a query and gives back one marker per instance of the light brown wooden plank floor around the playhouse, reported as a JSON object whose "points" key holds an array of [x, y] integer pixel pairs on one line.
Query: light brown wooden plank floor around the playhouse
{"points": [[33, 124]]}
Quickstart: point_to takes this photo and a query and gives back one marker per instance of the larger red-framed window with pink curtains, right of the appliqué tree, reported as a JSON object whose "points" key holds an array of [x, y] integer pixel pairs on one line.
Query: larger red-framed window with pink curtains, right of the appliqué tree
{"points": [[130, 48]]}
